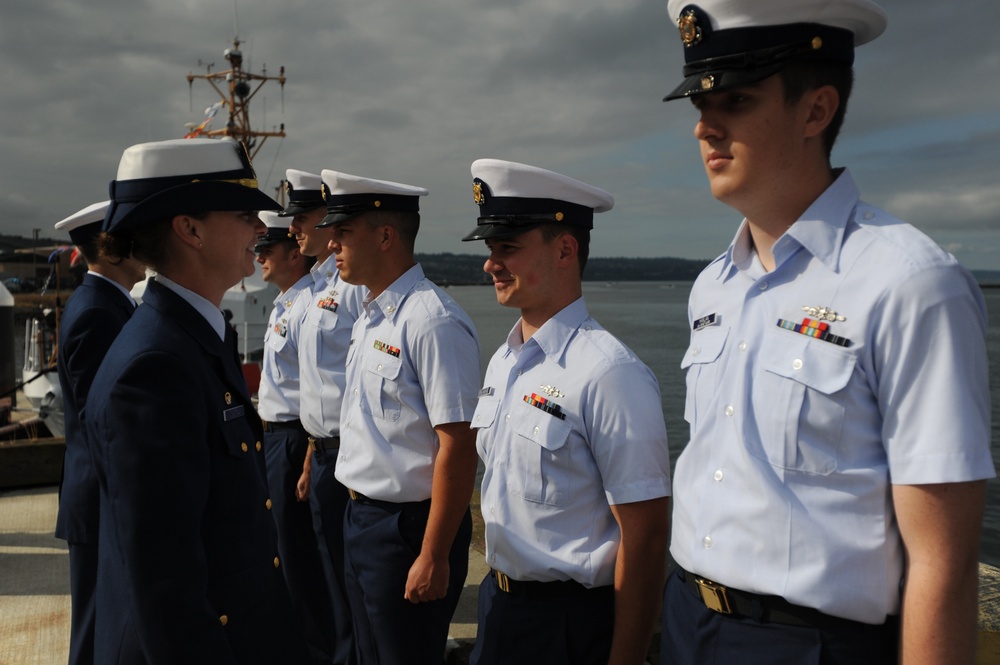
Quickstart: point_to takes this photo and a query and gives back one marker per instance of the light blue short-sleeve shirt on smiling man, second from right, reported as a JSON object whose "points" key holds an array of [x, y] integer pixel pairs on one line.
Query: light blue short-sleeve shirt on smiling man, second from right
{"points": [[569, 423]]}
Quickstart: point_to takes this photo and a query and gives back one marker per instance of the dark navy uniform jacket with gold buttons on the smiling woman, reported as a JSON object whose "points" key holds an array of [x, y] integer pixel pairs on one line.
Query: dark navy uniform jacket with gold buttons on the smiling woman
{"points": [[189, 569]]}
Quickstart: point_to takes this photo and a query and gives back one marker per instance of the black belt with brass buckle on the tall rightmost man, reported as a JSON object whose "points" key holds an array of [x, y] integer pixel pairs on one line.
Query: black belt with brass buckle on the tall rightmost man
{"points": [[766, 609]]}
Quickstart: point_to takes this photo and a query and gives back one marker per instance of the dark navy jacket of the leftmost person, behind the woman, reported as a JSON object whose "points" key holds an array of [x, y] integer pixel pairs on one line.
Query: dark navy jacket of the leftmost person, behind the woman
{"points": [[94, 315]]}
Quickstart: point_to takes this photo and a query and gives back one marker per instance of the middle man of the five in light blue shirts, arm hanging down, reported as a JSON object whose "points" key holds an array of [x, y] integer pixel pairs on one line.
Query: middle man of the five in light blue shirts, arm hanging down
{"points": [[407, 456]]}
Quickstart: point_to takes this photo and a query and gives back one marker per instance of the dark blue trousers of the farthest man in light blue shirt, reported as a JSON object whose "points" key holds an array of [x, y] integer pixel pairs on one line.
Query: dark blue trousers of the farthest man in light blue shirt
{"points": [[302, 563]]}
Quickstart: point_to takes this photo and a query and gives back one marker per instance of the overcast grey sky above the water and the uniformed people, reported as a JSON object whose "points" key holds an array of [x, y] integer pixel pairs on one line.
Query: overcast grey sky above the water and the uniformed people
{"points": [[415, 90]]}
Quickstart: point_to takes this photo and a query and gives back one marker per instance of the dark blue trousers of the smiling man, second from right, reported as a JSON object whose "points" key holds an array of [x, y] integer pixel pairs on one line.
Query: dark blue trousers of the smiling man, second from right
{"points": [[561, 630]]}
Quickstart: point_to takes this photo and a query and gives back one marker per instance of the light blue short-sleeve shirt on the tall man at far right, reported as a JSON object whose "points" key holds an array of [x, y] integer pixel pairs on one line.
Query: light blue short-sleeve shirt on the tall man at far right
{"points": [[857, 363]]}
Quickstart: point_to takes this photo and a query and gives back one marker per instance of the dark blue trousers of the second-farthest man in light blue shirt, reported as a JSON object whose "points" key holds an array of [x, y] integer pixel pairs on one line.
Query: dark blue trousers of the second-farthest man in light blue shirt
{"points": [[328, 501]]}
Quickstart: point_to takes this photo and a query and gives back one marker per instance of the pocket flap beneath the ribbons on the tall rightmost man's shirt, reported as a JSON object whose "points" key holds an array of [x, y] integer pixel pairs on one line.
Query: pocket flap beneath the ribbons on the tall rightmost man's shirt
{"points": [[819, 365]]}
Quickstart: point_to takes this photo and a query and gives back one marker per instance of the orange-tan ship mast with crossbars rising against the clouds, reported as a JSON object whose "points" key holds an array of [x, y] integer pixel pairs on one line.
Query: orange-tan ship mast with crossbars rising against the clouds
{"points": [[237, 87]]}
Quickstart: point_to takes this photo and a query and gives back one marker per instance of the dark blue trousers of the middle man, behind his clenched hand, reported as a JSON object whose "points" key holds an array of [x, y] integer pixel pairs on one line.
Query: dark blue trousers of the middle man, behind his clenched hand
{"points": [[382, 541]]}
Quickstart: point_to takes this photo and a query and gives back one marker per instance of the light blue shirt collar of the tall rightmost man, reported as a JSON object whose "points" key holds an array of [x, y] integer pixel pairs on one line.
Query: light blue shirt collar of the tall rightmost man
{"points": [[820, 230]]}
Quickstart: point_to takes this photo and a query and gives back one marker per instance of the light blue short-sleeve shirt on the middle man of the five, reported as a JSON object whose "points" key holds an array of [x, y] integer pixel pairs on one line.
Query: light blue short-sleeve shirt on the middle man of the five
{"points": [[413, 364]]}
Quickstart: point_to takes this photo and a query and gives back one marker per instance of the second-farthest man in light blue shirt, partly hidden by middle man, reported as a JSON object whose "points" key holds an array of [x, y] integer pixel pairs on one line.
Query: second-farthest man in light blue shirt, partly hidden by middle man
{"points": [[330, 309]]}
